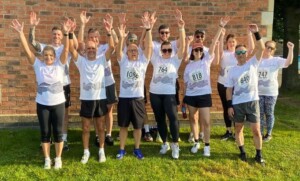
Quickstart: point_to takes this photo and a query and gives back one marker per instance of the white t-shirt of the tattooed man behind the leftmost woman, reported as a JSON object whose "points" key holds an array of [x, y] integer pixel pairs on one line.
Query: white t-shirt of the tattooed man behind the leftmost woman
{"points": [[58, 51]]}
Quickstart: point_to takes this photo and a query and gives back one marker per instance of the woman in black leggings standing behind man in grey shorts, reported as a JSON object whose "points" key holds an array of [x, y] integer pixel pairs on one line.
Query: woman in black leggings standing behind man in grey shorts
{"points": [[228, 60]]}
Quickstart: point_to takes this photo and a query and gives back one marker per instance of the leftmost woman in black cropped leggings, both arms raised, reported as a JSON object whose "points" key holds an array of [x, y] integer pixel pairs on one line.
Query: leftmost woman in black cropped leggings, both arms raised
{"points": [[50, 95]]}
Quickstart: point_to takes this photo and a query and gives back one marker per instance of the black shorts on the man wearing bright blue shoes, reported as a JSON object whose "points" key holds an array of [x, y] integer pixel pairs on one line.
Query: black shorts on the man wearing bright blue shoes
{"points": [[131, 110]]}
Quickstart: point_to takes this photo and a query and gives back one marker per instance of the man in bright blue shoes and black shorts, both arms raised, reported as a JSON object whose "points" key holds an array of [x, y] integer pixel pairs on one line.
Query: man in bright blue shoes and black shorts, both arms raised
{"points": [[131, 106]]}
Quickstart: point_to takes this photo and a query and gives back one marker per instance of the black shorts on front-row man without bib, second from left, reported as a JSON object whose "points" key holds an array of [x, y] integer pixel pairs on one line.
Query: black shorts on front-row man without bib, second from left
{"points": [[93, 108]]}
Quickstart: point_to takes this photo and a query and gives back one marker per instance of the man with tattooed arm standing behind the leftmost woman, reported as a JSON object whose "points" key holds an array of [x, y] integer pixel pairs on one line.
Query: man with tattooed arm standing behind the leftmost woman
{"points": [[56, 43]]}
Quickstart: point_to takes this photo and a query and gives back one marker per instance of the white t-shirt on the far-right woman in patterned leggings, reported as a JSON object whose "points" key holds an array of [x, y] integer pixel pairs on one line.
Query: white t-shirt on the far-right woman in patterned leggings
{"points": [[267, 75]]}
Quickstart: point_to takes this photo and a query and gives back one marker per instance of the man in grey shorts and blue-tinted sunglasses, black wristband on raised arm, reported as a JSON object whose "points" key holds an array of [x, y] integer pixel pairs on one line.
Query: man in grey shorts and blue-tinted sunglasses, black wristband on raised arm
{"points": [[242, 95]]}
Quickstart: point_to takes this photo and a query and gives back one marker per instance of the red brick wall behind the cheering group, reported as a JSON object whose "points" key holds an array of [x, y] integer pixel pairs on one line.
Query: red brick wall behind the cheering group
{"points": [[17, 76]]}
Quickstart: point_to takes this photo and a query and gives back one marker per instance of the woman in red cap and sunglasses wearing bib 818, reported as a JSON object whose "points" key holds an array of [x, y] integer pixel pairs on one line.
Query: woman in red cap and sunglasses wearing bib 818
{"points": [[198, 87]]}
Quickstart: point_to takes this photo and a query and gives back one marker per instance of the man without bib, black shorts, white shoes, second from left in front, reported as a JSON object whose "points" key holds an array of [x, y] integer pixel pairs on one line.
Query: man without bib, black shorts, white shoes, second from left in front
{"points": [[92, 90]]}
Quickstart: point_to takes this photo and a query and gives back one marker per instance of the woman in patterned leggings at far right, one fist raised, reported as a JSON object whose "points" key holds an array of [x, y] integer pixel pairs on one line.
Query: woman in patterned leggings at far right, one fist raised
{"points": [[268, 85]]}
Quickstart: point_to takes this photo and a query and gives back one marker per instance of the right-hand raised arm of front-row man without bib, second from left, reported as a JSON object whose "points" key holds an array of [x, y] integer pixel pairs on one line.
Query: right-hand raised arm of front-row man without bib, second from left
{"points": [[107, 23]]}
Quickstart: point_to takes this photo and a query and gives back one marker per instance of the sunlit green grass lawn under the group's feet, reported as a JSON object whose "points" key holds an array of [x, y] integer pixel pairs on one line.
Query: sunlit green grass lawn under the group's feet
{"points": [[21, 158]]}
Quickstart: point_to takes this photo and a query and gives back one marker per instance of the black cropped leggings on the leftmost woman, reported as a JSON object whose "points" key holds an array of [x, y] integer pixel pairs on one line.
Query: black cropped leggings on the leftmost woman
{"points": [[51, 116]]}
